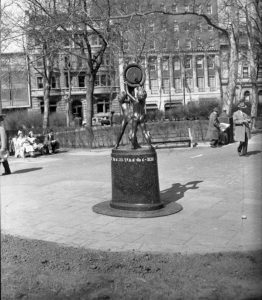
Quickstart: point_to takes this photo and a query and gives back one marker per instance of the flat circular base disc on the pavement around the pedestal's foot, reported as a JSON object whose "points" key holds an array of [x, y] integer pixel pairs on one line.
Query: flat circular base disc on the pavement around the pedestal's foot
{"points": [[104, 208]]}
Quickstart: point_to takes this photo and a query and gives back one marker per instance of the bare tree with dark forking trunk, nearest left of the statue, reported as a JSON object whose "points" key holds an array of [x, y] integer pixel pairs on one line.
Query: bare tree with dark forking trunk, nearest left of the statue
{"points": [[81, 21]]}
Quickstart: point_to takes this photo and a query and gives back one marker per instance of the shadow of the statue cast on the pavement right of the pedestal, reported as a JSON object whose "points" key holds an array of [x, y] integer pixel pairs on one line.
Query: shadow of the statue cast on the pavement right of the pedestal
{"points": [[177, 191]]}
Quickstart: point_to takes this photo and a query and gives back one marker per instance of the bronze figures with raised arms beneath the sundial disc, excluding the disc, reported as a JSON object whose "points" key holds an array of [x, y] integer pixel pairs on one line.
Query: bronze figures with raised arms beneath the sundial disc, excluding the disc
{"points": [[132, 102]]}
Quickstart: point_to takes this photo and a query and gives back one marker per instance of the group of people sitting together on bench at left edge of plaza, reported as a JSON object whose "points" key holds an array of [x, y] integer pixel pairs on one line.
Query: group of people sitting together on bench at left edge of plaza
{"points": [[29, 145]]}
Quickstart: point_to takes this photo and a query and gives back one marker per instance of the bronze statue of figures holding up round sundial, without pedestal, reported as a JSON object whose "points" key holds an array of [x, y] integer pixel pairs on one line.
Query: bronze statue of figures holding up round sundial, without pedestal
{"points": [[132, 101]]}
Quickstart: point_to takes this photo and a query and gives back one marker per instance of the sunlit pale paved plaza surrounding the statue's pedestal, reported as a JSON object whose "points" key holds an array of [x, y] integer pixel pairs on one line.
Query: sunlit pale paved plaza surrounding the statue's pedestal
{"points": [[51, 198]]}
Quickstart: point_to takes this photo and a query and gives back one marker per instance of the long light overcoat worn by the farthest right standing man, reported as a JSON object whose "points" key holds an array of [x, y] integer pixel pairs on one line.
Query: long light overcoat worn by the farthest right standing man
{"points": [[241, 126]]}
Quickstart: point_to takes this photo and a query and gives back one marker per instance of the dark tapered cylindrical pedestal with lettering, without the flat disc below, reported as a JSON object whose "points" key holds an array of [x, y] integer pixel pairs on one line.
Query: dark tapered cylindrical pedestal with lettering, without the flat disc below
{"points": [[135, 183]]}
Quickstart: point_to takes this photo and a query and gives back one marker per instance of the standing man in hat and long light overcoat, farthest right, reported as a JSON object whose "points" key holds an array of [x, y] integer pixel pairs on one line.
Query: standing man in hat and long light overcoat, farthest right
{"points": [[242, 129]]}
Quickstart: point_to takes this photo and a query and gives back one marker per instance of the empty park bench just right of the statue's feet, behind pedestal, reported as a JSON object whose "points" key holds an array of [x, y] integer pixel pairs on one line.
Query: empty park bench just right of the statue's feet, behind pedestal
{"points": [[175, 139]]}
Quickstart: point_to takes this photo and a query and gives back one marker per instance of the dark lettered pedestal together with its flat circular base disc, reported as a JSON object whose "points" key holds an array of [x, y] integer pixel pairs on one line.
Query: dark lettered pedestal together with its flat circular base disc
{"points": [[135, 186]]}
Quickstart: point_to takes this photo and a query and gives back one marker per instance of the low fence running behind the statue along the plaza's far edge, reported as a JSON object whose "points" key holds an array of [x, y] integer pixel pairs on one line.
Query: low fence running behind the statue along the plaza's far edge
{"points": [[99, 137]]}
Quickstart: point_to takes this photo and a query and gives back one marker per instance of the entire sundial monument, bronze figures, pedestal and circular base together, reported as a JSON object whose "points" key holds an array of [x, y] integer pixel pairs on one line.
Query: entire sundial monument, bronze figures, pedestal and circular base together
{"points": [[135, 184]]}
